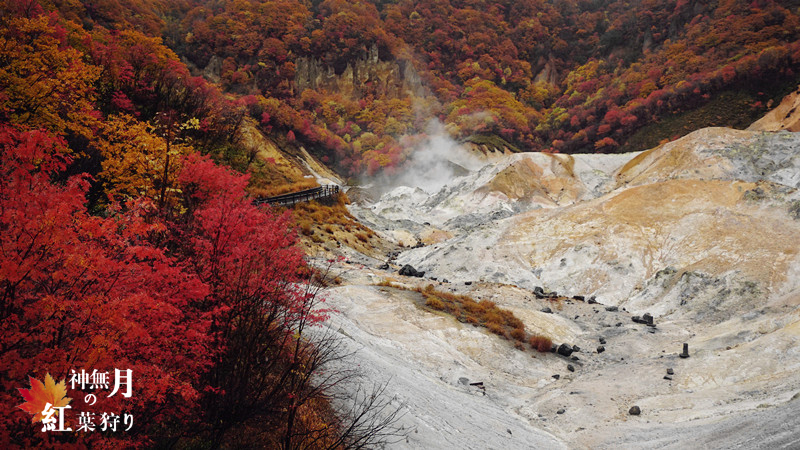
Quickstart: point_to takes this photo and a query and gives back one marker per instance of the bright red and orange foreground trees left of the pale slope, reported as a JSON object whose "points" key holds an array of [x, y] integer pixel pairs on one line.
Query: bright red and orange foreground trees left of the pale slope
{"points": [[124, 247]]}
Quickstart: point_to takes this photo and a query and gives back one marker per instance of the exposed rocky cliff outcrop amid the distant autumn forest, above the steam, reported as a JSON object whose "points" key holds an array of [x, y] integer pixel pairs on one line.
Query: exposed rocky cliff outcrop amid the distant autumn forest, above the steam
{"points": [[393, 79]]}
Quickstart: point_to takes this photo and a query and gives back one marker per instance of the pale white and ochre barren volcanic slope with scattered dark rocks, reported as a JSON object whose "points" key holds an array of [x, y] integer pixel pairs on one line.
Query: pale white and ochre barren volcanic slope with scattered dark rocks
{"points": [[703, 233]]}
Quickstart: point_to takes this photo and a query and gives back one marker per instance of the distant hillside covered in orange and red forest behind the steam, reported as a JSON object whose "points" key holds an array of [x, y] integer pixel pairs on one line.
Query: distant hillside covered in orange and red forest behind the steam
{"points": [[566, 76]]}
